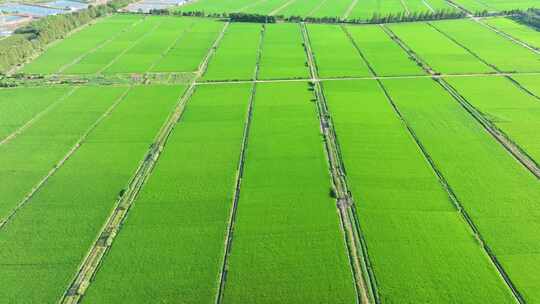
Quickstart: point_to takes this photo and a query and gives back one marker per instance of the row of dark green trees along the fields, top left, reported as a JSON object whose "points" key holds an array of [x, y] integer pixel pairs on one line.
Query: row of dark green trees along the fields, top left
{"points": [[33, 37]]}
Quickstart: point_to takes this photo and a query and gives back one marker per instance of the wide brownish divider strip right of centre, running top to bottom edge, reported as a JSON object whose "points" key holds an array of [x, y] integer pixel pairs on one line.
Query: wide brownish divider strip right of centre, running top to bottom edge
{"points": [[362, 275]]}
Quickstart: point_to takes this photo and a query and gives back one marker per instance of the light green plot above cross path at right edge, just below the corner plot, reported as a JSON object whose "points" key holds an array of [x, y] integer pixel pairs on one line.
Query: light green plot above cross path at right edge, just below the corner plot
{"points": [[497, 50]]}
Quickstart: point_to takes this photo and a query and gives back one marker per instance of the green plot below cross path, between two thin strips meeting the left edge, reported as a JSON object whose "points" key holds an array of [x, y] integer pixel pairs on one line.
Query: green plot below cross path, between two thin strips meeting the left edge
{"points": [[28, 158]]}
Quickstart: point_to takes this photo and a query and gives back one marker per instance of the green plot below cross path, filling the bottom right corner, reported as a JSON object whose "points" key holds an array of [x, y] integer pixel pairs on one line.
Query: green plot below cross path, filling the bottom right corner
{"points": [[499, 194]]}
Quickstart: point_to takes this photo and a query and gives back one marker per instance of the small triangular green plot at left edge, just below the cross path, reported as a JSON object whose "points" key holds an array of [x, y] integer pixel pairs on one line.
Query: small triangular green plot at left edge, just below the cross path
{"points": [[20, 105]]}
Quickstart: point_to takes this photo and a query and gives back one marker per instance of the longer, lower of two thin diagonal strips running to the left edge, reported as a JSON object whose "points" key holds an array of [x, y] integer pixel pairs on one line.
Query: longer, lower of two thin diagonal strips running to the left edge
{"points": [[59, 164]]}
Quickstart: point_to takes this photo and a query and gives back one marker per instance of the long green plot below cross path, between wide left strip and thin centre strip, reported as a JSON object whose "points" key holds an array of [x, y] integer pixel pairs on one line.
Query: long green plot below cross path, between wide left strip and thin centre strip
{"points": [[175, 232]]}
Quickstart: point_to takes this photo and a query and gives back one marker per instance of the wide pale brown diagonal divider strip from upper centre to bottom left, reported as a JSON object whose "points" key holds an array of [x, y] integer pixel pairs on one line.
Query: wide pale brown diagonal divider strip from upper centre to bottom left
{"points": [[104, 240]]}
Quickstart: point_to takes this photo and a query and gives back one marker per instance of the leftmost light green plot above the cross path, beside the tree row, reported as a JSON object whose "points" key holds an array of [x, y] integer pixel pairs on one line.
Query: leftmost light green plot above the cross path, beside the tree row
{"points": [[68, 50]]}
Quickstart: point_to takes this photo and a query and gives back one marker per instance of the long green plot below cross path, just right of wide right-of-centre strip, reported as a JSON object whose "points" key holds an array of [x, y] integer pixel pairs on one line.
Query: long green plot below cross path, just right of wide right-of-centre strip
{"points": [[403, 208]]}
